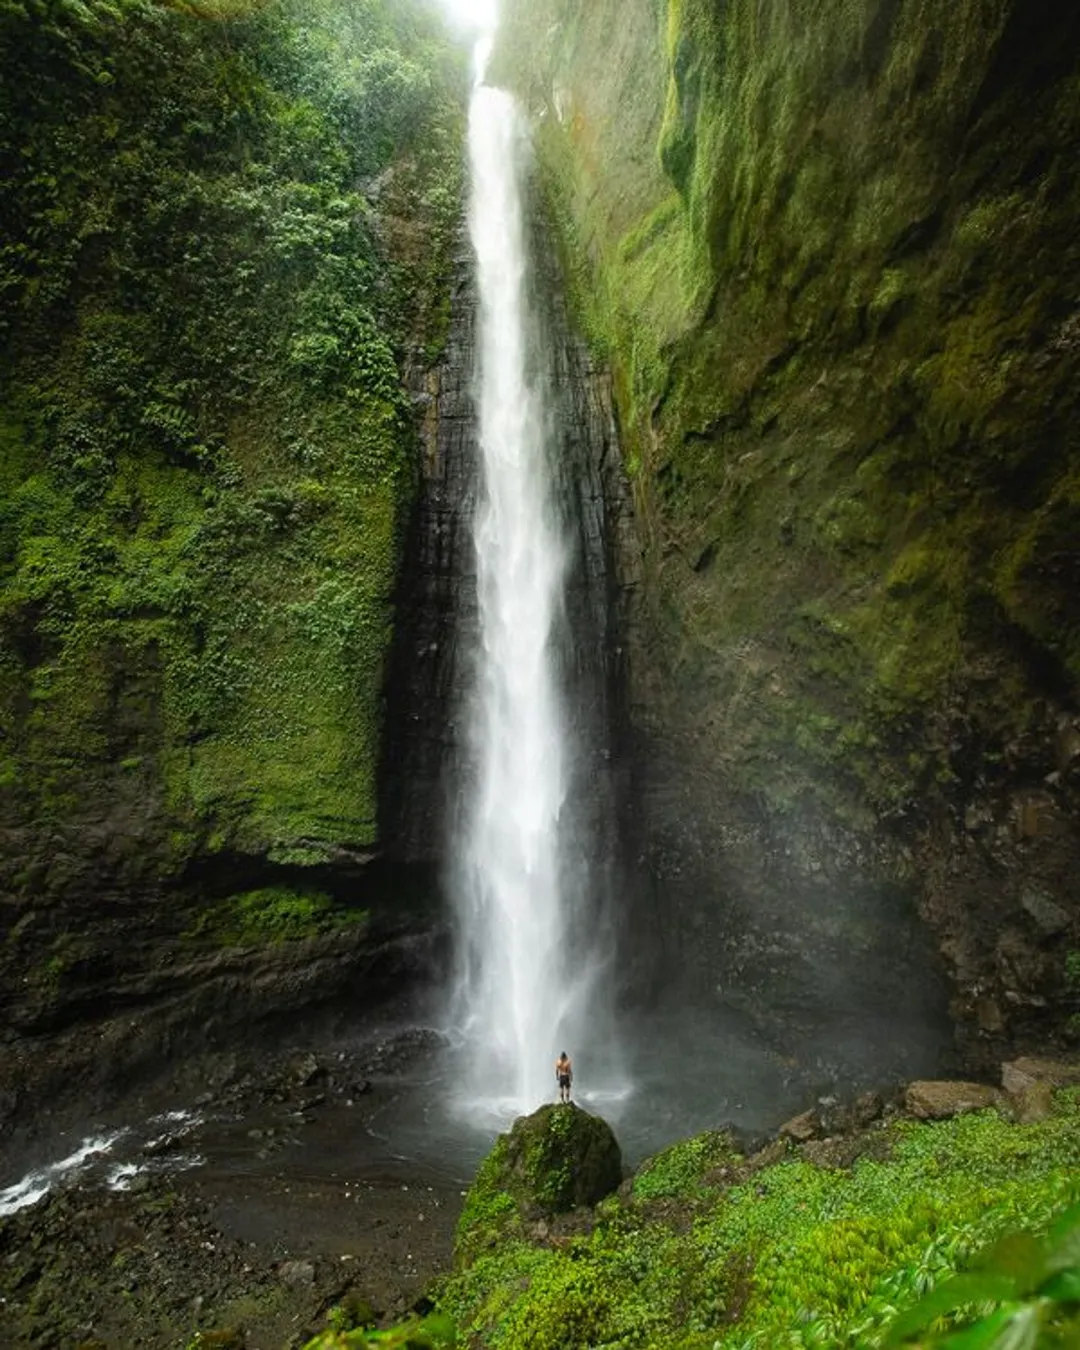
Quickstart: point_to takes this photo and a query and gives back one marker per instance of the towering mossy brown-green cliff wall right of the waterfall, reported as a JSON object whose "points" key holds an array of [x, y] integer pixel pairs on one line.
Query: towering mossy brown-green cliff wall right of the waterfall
{"points": [[831, 253]]}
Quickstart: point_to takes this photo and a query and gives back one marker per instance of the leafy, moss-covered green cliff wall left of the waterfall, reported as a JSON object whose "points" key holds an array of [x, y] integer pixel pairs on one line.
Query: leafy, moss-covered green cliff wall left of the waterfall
{"points": [[226, 236]]}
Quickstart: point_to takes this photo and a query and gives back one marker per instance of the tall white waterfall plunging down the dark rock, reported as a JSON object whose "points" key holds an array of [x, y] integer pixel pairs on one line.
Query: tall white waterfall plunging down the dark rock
{"points": [[522, 962]]}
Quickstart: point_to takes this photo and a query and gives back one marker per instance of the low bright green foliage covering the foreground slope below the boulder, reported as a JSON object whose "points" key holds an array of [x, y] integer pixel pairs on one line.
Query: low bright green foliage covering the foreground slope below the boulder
{"points": [[716, 1251]]}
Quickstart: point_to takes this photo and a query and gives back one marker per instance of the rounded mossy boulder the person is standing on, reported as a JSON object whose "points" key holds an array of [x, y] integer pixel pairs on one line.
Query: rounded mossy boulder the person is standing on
{"points": [[550, 1163]]}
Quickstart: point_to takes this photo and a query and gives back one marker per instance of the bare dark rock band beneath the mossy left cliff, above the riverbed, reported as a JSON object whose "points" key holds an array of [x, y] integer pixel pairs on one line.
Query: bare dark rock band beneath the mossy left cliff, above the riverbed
{"points": [[156, 1002]]}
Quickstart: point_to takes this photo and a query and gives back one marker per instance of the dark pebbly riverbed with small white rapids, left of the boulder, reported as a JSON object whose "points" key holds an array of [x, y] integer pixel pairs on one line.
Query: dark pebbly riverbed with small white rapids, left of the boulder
{"points": [[271, 1199]]}
